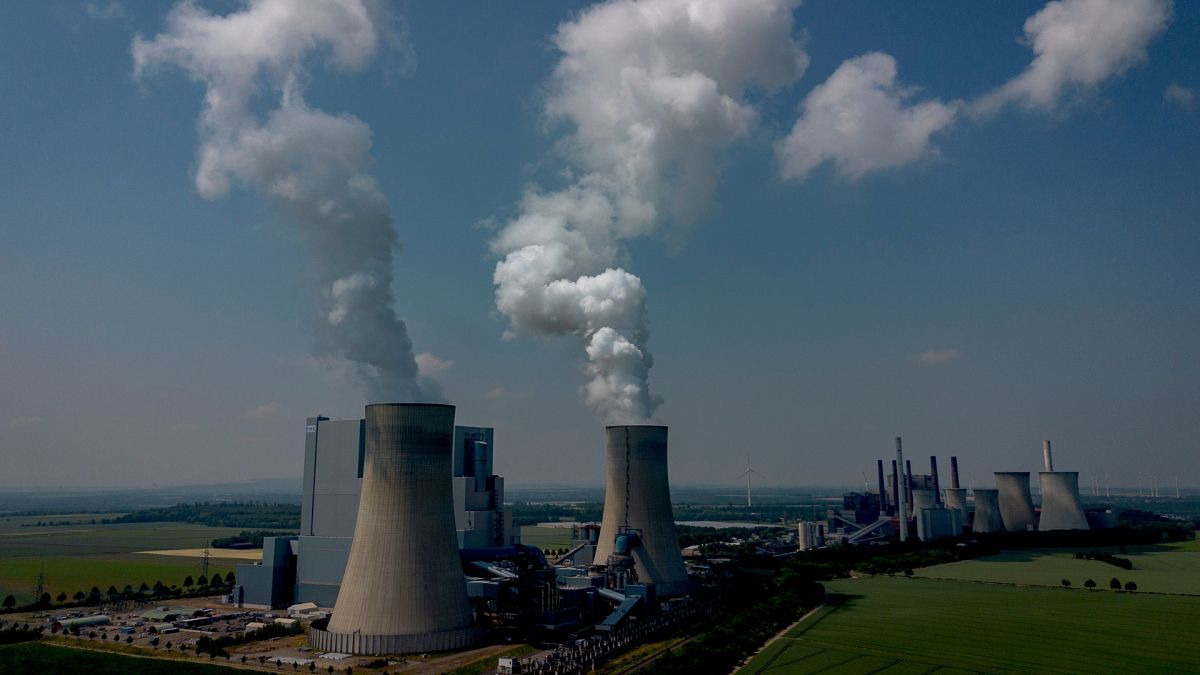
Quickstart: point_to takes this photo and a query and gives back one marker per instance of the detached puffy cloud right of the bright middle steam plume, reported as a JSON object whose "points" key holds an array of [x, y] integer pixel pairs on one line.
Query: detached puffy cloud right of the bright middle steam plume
{"points": [[861, 121]]}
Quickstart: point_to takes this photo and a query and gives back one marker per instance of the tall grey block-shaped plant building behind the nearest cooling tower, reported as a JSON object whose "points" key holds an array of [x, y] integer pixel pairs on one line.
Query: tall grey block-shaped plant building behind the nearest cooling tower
{"points": [[309, 568]]}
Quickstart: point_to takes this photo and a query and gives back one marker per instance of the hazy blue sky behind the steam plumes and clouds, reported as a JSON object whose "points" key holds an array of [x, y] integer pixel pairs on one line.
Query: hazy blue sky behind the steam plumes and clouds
{"points": [[1029, 273]]}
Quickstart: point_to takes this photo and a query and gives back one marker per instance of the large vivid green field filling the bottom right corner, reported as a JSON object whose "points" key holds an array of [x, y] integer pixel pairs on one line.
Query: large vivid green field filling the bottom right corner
{"points": [[897, 625]]}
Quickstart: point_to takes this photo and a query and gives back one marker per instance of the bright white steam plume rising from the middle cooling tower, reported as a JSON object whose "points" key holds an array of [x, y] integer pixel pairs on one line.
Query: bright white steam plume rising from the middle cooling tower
{"points": [[653, 93]]}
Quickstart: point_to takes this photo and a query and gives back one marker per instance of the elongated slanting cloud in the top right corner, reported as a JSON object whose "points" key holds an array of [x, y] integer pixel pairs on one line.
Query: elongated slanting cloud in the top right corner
{"points": [[1078, 45]]}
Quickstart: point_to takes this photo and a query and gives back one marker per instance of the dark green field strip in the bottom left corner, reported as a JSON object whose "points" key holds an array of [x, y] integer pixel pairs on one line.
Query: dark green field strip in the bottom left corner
{"points": [[38, 659]]}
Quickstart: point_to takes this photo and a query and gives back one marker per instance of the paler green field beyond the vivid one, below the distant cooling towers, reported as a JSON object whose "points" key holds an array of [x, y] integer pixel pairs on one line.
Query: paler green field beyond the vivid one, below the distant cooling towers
{"points": [[1169, 569]]}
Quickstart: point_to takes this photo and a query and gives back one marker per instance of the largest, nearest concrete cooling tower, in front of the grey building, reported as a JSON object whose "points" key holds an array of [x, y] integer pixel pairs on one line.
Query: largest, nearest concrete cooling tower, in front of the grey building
{"points": [[404, 590]]}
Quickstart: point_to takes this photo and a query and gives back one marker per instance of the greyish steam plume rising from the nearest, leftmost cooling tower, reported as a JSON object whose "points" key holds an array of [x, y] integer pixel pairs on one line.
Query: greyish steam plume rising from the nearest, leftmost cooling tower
{"points": [[311, 163]]}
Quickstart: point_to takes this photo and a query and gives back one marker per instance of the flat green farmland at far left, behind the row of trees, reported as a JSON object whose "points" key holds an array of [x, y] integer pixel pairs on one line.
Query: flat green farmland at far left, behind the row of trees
{"points": [[81, 557]]}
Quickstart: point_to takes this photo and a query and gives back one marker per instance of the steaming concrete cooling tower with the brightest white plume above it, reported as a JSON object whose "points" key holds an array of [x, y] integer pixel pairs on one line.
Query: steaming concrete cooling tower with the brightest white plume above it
{"points": [[638, 498]]}
